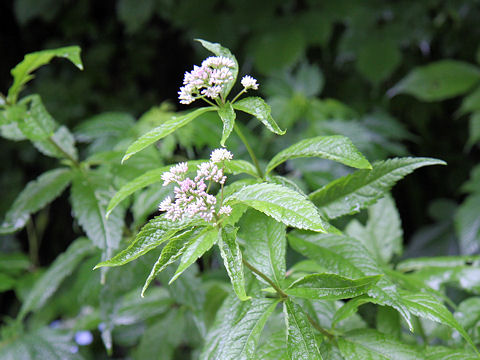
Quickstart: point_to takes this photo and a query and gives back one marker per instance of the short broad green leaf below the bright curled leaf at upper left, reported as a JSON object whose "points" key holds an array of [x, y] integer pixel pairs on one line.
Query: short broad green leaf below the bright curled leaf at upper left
{"points": [[37, 124]]}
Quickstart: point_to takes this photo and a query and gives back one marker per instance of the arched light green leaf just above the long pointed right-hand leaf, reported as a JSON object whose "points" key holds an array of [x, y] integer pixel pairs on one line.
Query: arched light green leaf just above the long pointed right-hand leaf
{"points": [[336, 147]]}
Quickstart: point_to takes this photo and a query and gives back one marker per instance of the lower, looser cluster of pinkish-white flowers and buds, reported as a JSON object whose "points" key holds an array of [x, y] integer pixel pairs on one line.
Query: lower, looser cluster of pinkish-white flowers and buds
{"points": [[191, 196]]}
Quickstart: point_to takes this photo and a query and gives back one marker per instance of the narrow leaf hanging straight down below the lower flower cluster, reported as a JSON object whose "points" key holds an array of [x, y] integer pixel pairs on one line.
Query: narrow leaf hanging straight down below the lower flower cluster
{"points": [[232, 259]]}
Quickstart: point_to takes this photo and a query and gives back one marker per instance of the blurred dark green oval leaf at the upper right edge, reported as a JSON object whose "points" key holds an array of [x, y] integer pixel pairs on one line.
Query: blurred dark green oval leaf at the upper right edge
{"points": [[438, 81]]}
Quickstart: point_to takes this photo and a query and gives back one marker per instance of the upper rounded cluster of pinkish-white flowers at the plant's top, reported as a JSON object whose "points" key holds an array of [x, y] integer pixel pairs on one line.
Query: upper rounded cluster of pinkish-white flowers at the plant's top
{"points": [[206, 80]]}
